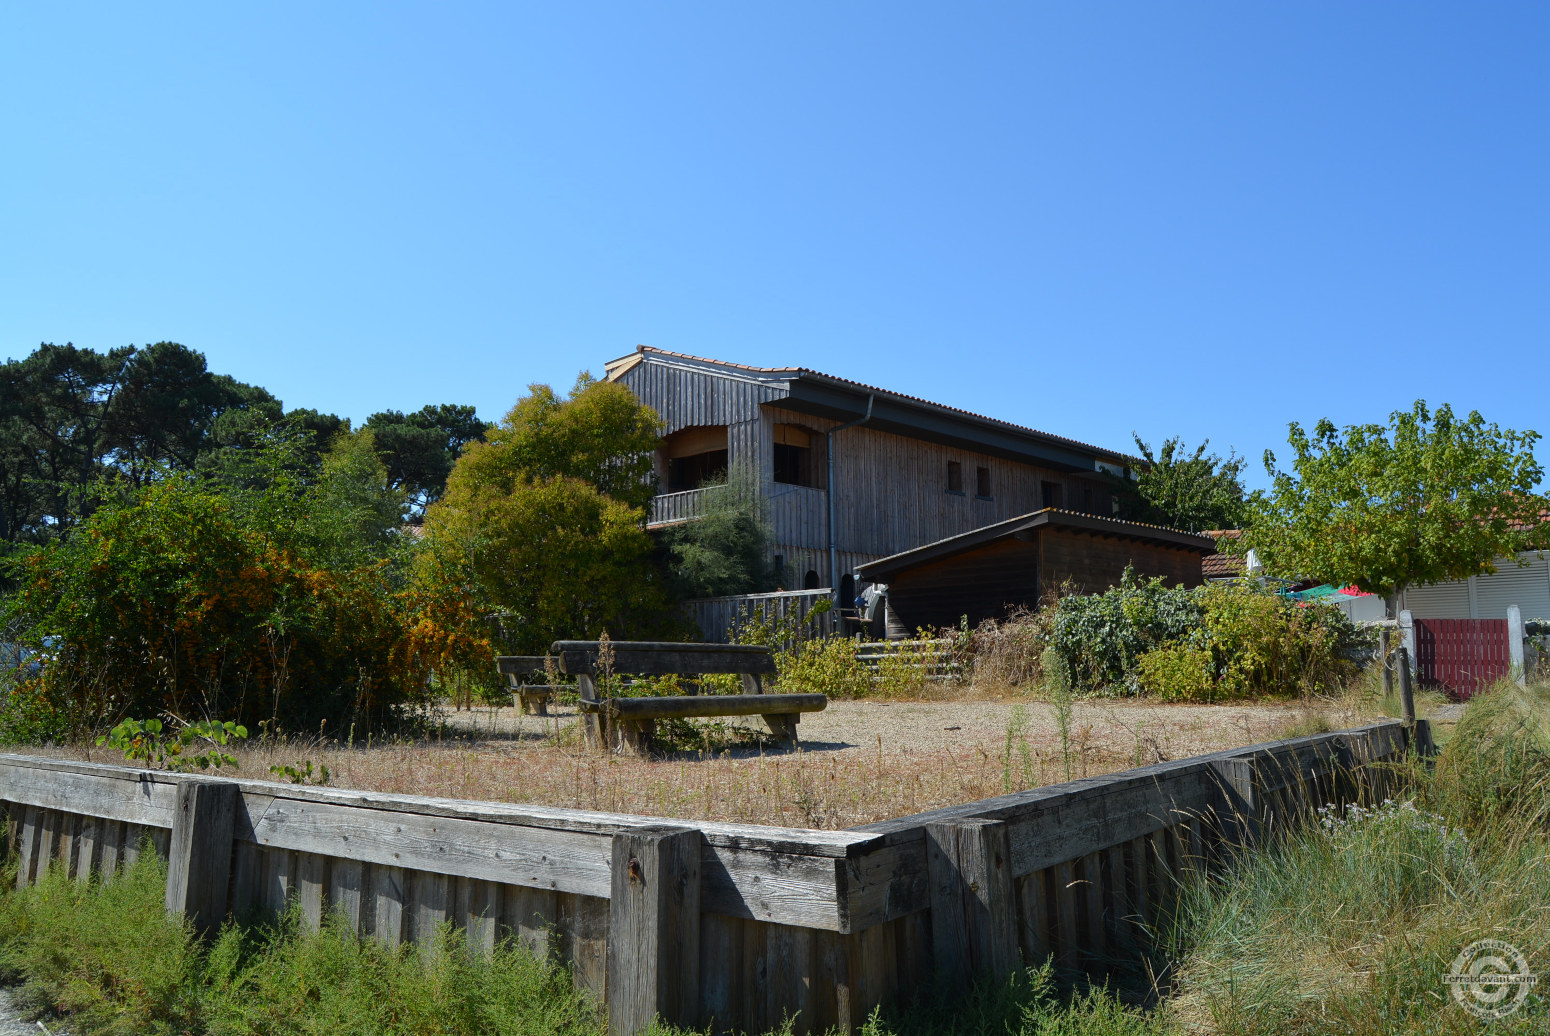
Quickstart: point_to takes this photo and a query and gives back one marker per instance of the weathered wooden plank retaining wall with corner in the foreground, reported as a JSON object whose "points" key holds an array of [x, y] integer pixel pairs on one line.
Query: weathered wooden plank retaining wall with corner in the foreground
{"points": [[708, 925]]}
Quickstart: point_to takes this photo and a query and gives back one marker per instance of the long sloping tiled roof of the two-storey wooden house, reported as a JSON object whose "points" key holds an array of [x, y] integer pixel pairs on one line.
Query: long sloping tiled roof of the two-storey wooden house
{"points": [[830, 396]]}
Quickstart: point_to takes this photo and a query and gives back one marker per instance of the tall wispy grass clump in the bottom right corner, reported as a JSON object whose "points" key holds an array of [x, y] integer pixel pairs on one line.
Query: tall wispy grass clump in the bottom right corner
{"points": [[1351, 925]]}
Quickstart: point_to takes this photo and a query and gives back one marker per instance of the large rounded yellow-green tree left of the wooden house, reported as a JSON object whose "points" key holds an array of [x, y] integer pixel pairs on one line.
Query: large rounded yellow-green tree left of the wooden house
{"points": [[531, 528]]}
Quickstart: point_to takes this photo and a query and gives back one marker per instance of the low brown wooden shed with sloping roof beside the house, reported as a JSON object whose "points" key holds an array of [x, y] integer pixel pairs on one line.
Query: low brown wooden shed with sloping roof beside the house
{"points": [[985, 573]]}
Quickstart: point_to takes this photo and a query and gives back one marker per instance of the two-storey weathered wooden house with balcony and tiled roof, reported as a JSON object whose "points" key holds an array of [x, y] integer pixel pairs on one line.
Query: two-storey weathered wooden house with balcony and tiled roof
{"points": [[852, 474]]}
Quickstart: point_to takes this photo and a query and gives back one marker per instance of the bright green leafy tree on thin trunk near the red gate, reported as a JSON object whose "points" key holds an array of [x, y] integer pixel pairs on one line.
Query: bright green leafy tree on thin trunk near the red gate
{"points": [[1425, 500]]}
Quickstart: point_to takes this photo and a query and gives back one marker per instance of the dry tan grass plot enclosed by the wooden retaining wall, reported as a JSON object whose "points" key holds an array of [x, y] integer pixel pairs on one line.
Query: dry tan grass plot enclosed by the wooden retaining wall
{"points": [[861, 762]]}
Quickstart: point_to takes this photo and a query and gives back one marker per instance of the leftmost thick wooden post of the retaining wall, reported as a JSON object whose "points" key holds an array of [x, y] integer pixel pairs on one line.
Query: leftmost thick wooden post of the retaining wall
{"points": [[199, 860]]}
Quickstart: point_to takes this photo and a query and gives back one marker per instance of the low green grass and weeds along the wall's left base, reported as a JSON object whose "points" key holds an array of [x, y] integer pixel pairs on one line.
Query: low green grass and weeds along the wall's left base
{"points": [[109, 961]]}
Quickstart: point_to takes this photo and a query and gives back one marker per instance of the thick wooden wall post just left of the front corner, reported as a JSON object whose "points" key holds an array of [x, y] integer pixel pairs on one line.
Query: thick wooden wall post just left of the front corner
{"points": [[653, 930]]}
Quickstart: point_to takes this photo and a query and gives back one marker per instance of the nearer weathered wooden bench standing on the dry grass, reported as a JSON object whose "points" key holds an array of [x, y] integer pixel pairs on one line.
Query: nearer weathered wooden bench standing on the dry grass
{"points": [[629, 723]]}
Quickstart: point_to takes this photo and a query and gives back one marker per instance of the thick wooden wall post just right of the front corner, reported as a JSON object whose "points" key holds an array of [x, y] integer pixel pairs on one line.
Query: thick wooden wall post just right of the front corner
{"points": [[974, 917]]}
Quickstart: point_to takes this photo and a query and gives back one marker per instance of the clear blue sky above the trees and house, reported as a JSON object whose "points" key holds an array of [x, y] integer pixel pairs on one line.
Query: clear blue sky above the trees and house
{"points": [[1199, 219]]}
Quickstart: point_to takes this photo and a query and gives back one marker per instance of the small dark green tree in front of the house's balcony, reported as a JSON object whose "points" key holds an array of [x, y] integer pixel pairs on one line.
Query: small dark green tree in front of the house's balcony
{"points": [[725, 550]]}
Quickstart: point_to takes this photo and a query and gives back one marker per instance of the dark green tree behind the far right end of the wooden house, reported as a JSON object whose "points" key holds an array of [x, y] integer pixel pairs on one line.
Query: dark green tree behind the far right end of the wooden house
{"points": [[1183, 491]]}
